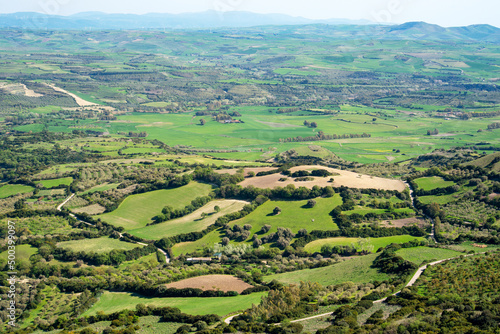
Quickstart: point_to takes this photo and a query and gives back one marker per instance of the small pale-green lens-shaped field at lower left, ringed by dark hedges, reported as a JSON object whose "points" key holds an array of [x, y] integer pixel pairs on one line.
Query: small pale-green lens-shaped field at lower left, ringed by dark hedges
{"points": [[99, 245]]}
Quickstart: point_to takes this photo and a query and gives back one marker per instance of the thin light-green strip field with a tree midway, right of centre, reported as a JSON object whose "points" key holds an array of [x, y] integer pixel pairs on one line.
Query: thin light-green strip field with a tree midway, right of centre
{"points": [[316, 245]]}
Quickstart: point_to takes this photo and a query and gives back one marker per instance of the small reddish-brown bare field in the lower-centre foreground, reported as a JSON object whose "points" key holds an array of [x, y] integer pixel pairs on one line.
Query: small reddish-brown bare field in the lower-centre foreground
{"points": [[212, 282]]}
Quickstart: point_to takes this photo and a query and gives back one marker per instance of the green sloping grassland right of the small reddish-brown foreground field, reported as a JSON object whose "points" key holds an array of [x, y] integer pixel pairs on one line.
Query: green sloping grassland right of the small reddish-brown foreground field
{"points": [[356, 270]]}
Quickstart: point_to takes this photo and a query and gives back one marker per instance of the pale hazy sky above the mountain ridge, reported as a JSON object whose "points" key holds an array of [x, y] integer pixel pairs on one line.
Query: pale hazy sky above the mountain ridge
{"points": [[442, 12]]}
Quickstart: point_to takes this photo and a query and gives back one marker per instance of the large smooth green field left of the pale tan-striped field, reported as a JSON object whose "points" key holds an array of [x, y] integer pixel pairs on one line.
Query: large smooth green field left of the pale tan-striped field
{"points": [[137, 211]]}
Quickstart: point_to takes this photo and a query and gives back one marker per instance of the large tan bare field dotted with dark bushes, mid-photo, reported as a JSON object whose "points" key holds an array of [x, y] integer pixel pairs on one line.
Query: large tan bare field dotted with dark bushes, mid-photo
{"points": [[345, 178]]}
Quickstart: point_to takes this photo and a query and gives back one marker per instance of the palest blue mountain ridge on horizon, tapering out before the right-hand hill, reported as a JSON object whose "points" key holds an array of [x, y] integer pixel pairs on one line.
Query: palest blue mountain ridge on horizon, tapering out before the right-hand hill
{"points": [[202, 20]]}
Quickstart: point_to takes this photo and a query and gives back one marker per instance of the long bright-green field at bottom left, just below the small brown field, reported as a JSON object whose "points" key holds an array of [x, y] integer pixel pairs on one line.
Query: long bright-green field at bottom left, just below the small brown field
{"points": [[111, 302]]}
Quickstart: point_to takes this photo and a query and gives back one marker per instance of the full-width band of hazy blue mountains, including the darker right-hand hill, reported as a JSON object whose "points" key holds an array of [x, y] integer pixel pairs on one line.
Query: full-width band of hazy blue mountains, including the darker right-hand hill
{"points": [[252, 22]]}
